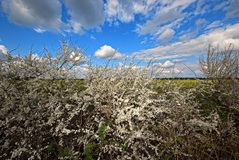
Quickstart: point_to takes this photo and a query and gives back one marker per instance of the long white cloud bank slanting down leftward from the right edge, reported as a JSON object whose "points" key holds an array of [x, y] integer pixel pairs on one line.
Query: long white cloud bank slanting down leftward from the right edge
{"points": [[222, 37]]}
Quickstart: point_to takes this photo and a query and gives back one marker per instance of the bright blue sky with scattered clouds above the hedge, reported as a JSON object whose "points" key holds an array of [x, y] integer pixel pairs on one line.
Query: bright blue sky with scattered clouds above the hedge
{"points": [[174, 33]]}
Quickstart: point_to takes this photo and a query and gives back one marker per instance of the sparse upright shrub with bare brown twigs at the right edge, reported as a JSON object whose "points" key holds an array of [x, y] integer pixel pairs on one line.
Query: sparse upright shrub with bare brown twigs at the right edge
{"points": [[221, 67]]}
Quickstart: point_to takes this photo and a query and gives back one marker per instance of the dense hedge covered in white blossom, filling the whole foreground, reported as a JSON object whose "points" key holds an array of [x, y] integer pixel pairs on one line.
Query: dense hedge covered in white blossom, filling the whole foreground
{"points": [[117, 112]]}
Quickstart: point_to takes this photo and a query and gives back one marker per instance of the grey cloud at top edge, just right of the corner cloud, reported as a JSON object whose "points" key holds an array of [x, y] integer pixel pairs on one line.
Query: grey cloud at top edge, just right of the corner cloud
{"points": [[85, 14]]}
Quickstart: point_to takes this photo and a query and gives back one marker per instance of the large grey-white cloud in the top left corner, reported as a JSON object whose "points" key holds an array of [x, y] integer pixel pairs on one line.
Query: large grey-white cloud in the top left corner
{"points": [[43, 14]]}
